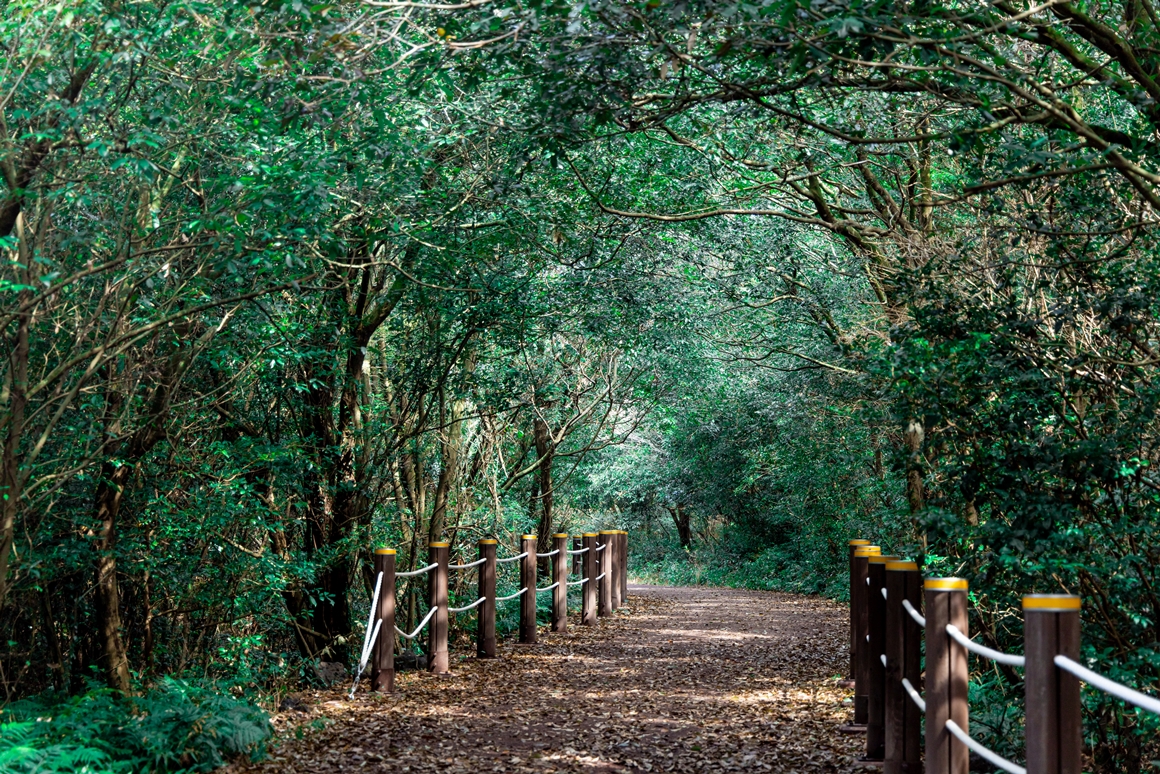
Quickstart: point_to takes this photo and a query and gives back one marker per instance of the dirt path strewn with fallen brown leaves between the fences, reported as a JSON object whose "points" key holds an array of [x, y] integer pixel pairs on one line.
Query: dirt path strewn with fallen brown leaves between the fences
{"points": [[680, 681]]}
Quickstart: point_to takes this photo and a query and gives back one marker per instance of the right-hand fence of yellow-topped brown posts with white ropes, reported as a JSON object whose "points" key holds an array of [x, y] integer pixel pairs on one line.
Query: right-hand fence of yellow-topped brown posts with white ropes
{"points": [[890, 639]]}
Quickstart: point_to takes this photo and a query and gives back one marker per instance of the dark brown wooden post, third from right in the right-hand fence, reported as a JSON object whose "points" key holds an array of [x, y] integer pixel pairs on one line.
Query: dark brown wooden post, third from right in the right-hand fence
{"points": [[904, 639]]}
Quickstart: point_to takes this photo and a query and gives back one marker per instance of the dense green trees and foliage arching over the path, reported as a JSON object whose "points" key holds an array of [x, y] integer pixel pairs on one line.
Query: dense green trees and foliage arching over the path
{"points": [[287, 283]]}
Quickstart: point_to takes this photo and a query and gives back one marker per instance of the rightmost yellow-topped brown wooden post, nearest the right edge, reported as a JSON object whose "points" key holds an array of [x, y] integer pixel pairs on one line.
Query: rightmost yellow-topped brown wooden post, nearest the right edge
{"points": [[1055, 735]]}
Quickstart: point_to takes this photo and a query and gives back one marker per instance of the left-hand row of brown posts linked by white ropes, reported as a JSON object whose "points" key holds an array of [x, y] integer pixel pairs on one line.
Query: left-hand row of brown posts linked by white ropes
{"points": [[590, 562]]}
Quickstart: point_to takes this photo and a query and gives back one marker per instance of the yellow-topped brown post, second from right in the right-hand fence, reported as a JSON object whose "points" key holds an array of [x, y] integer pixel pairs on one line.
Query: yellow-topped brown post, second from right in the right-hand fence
{"points": [[947, 674]]}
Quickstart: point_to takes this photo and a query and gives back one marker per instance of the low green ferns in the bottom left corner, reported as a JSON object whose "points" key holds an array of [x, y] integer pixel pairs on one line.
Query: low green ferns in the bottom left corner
{"points": [[177, 727]]}
